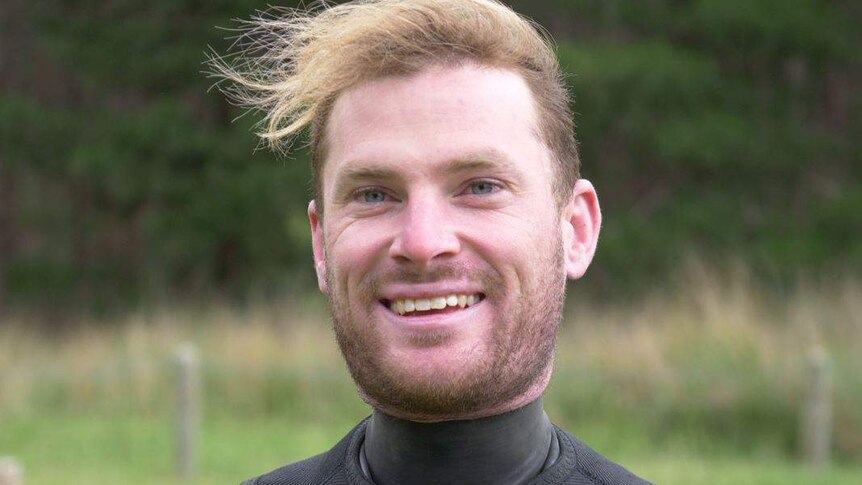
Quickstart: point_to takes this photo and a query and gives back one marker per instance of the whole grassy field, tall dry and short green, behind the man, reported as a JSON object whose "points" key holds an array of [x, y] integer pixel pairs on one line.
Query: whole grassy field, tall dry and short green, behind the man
{"points": [[701, 386]]}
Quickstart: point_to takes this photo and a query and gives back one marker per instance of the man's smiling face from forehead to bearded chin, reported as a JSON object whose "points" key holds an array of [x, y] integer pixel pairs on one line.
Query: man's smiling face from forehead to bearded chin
{"points": [[439, 193]]}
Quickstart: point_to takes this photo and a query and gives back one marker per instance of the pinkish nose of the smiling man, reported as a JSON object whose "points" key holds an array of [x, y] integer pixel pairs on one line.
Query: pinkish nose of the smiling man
{"points": [[426, 232]]}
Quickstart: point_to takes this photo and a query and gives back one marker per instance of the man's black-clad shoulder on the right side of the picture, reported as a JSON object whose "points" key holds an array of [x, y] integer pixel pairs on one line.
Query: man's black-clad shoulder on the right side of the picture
{"points": [[585, 465]]}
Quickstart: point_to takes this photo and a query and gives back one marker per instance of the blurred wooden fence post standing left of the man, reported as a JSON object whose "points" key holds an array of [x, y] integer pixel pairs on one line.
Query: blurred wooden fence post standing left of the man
{"points": [[188, 408]]}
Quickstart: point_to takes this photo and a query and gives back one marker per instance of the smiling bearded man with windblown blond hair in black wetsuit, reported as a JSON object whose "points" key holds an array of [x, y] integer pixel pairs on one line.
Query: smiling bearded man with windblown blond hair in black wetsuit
{"points": [[448, 214]]}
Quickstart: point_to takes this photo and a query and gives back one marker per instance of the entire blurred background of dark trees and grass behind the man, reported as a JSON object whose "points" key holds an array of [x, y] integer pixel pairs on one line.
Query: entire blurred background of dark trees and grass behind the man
{"points": [[724, 138]]}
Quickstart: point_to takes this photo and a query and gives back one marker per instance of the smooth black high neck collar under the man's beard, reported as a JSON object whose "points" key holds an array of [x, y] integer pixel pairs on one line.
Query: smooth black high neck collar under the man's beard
{"points": [[508, 448]]}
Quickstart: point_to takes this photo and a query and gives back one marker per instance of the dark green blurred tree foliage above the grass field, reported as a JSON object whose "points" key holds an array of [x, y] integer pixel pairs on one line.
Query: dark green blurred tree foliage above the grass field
{"points": [[726, 127]]}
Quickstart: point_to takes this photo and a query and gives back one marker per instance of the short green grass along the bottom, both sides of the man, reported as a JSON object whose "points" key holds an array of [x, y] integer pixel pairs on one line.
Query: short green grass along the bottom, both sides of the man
{"points": [[139, 451]]}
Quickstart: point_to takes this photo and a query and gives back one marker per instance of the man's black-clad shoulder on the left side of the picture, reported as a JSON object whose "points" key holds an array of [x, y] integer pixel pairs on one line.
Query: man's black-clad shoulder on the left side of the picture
{"points": [[320, 469]]}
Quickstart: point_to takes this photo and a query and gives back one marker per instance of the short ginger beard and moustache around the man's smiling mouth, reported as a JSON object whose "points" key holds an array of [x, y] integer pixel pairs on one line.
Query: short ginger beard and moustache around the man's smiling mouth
{"points": [[518, 348]]}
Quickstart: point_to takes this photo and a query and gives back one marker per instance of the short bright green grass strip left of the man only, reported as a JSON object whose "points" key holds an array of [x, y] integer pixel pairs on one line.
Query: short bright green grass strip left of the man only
{"points": [[140, 450]]}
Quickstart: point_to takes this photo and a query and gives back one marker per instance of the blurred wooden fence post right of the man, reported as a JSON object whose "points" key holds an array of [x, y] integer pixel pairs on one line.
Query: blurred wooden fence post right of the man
{"points": [[816, 425]]}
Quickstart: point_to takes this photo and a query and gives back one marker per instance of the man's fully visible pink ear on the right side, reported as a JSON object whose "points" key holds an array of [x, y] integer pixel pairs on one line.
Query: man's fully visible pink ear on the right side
{"points": [[581, 221]]}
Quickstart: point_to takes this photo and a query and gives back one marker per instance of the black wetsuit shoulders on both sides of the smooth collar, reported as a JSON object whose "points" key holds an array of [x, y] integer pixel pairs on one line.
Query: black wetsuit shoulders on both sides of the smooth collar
{"points": [[577, 464]]}
